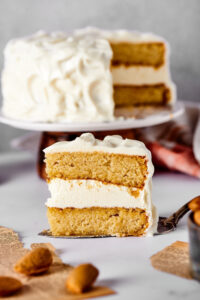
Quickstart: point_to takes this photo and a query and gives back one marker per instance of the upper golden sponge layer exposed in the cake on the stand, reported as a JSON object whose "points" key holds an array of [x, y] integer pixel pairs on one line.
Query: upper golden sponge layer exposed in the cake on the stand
{"points": [[143, 54]]}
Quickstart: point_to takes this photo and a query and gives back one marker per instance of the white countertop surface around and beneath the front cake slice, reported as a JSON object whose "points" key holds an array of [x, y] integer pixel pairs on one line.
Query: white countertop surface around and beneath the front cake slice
{"points": [[123, 262]]}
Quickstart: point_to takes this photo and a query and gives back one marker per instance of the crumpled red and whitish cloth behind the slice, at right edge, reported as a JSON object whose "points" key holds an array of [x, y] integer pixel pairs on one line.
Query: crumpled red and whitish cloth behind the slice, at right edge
{"points": [[175, 145]]}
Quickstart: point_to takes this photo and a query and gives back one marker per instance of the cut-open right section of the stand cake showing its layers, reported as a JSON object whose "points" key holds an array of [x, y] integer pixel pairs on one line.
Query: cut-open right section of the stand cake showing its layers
{"points": [[140, 67]]}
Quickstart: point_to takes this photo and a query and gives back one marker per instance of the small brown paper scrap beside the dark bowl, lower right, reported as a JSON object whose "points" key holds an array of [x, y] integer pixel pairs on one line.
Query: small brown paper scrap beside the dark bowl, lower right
{"points": [[173, 259]]}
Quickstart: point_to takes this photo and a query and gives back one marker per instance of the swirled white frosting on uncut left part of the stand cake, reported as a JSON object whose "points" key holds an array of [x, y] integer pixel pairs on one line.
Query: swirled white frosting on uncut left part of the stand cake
{"points": [[58, 78]]}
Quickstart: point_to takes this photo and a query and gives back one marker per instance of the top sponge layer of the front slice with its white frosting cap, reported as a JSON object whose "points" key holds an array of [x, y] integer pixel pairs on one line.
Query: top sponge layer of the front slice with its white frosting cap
{"points": [[113, 160]]}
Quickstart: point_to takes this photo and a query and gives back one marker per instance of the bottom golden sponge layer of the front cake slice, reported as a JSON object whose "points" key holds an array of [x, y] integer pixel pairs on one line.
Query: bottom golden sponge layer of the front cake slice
{"points": [[97, 221]]}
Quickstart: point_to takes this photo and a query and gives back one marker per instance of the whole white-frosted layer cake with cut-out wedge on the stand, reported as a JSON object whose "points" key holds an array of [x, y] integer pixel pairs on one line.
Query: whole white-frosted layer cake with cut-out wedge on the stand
{"points": [[84, 76]]}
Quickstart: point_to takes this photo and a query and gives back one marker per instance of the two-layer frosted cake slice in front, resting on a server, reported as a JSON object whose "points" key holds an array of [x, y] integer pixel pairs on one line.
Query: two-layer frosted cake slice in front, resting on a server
{"points": [[100, 188]]}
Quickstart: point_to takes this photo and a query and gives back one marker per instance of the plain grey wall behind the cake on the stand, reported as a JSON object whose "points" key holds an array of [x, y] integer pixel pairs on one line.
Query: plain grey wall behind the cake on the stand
{"points": [[176, 20]]}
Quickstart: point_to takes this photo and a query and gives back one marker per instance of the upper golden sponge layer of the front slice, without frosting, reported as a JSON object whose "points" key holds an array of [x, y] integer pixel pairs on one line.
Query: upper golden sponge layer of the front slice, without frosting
{"points": [[112, 168]]}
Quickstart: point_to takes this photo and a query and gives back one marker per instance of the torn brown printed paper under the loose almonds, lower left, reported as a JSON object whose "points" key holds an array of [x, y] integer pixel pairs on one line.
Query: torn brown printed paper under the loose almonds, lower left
{"points": [[50, 285]]}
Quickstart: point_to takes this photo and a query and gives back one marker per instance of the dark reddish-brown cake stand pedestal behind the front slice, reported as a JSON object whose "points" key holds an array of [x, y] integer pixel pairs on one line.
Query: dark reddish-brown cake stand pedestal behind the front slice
{"points": [[49, 138]]}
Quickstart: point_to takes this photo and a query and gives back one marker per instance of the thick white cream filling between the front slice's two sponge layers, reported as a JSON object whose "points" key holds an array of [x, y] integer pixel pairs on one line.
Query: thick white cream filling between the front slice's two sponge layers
{"points": [[91, 193]]}
